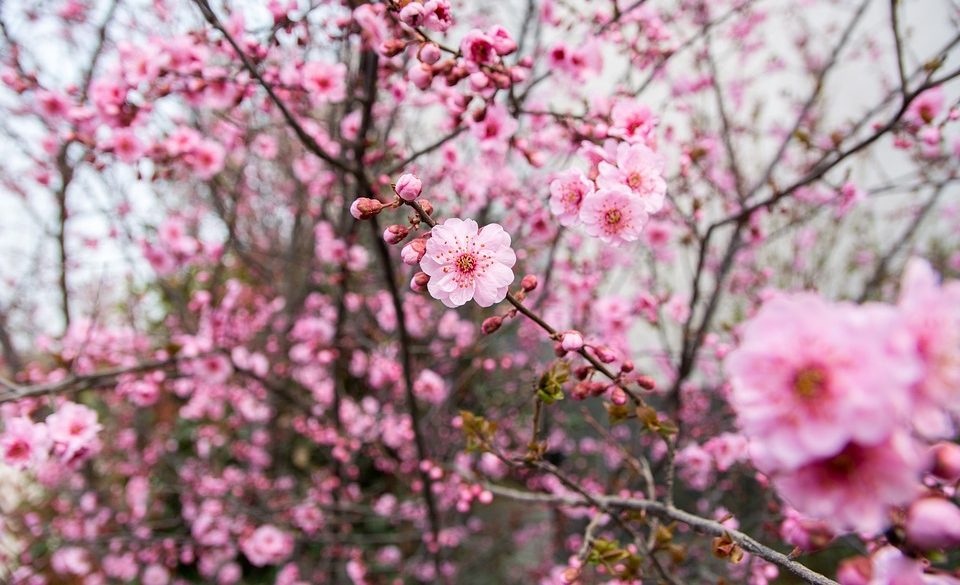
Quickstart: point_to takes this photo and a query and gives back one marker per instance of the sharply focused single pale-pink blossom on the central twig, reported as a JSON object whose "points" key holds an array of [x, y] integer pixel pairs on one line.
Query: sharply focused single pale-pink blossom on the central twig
{"points": [[465, 262]]}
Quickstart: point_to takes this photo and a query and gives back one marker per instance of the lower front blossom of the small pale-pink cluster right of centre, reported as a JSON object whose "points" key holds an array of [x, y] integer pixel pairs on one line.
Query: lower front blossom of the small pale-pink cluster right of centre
{"points": [[614, 215]]}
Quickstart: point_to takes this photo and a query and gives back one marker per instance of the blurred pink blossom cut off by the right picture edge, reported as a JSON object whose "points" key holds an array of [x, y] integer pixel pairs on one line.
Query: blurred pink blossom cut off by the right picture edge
{"points": [[932, 312]]}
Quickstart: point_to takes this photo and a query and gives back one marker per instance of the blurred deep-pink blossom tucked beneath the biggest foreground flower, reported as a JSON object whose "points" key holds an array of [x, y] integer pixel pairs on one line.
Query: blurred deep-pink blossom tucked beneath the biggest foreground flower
{"points": [[856, 488]]}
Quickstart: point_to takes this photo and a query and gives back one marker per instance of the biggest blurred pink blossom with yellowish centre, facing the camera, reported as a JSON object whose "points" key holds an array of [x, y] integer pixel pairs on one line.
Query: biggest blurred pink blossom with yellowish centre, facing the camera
{"points": [[810, 376]]}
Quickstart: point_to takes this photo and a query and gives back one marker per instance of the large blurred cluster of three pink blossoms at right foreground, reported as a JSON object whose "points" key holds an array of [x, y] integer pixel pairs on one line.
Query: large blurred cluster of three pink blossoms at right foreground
{"points": [[832, 396]]}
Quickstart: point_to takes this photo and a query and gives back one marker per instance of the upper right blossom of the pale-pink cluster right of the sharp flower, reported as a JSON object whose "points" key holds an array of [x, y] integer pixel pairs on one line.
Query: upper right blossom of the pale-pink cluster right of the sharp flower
{"points": [[640, 170]]}
